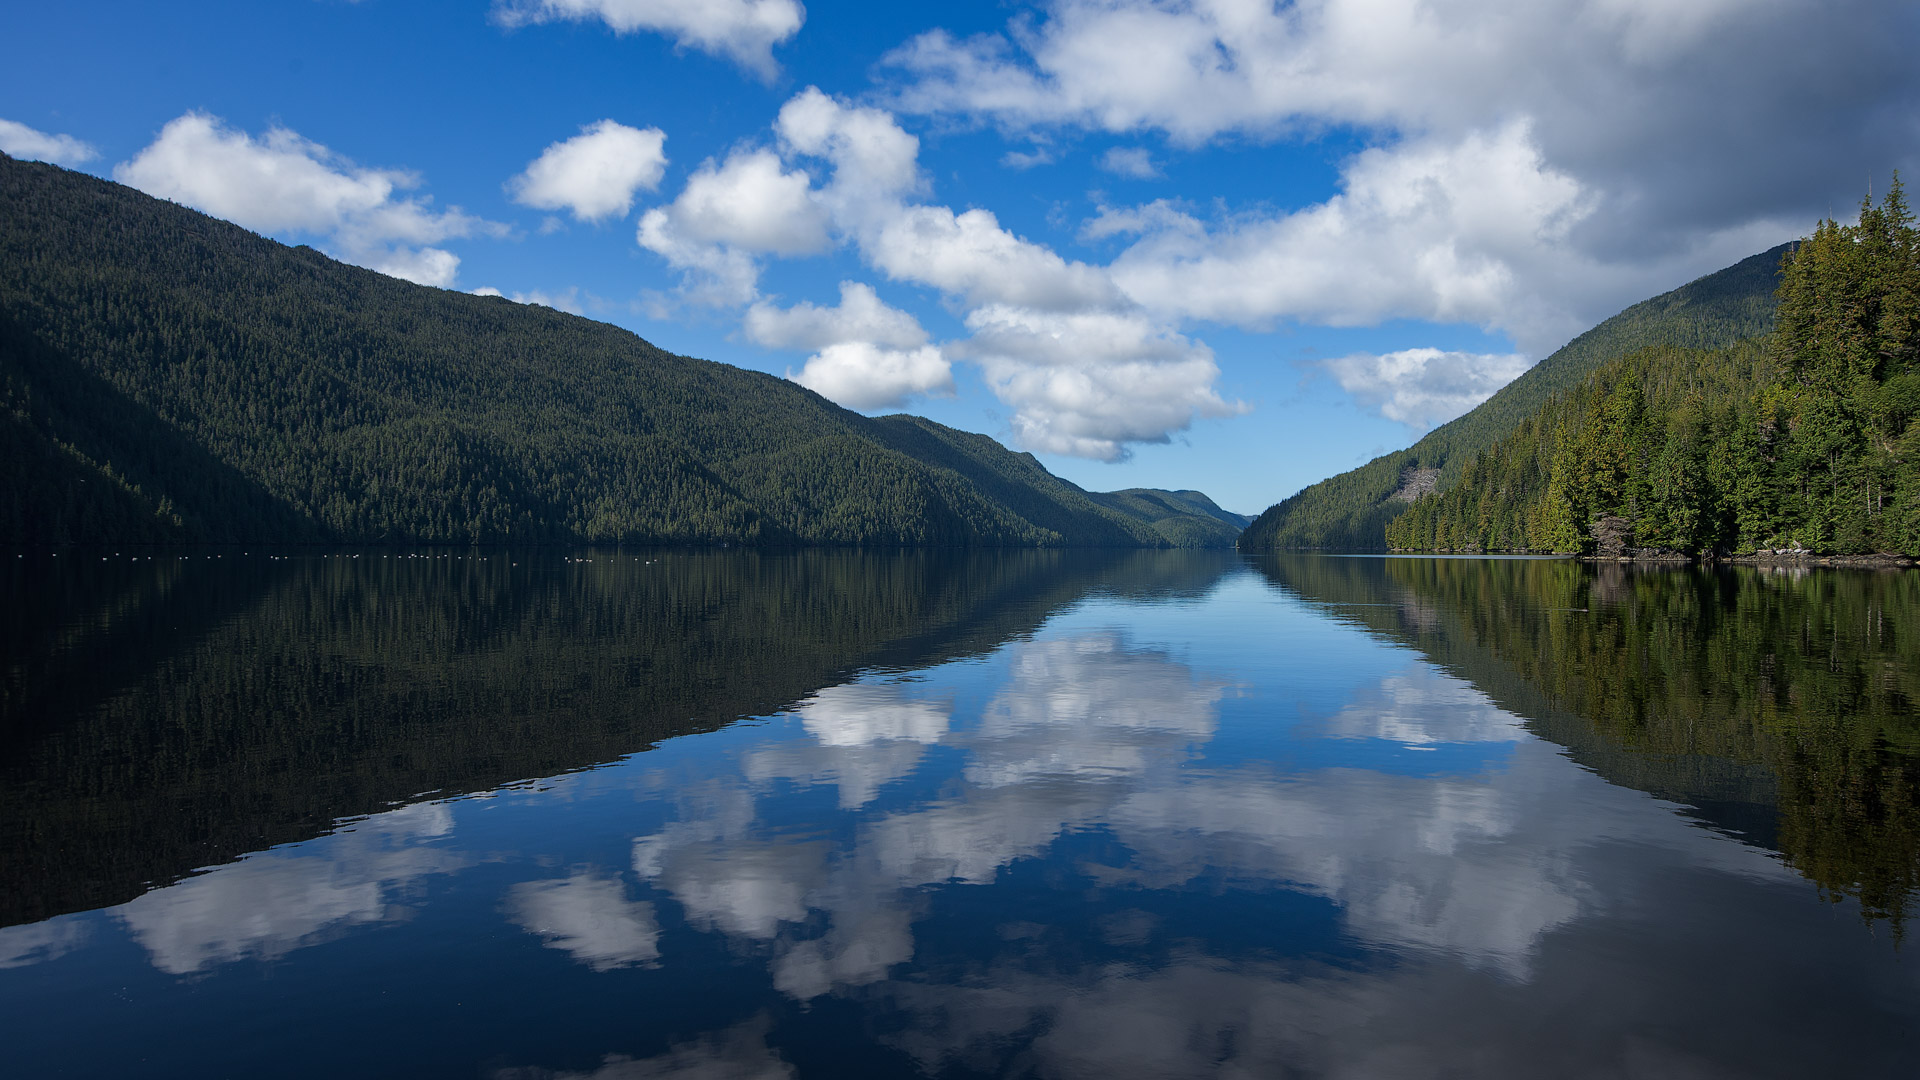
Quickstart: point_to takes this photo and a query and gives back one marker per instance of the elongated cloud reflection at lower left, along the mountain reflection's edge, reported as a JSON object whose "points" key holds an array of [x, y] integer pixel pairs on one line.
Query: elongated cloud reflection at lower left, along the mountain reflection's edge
{"points": [[276, 902]]}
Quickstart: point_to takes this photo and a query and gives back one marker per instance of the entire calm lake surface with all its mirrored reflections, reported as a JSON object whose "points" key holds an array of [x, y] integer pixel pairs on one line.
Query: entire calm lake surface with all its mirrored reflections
{"points": [[955, 816]]}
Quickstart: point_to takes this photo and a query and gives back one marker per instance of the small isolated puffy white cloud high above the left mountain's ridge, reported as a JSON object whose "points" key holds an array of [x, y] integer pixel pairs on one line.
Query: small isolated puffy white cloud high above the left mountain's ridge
{"points": [[596, 172]]}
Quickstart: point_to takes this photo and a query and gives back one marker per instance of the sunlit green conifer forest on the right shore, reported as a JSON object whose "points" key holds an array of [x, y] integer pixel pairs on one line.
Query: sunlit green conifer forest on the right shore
{"points": [[1804, 441]]}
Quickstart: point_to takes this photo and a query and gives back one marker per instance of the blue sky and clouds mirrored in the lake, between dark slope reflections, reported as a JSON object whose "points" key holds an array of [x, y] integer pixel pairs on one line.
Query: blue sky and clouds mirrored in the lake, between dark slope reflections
{"points": [[1220, 837]]}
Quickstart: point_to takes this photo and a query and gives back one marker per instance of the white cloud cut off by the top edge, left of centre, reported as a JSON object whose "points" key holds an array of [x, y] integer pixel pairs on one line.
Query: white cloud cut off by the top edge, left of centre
{"points": [[744, 32]]}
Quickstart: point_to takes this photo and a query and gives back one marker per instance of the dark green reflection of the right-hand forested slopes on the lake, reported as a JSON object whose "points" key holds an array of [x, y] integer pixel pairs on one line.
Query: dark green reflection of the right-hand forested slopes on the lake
{"points": [[1779, 706]]}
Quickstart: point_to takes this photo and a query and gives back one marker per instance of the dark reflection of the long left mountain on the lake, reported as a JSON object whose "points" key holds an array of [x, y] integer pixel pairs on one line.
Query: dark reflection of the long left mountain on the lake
{"points": [[176, 714]]}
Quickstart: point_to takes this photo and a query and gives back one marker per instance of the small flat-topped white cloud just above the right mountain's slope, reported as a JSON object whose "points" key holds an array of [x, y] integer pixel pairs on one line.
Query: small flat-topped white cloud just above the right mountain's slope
{"points": [[1426, 387]]}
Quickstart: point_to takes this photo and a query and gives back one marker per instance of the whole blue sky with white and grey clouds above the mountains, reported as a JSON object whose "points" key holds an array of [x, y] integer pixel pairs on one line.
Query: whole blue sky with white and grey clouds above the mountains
{"points": [[1220, 245]]}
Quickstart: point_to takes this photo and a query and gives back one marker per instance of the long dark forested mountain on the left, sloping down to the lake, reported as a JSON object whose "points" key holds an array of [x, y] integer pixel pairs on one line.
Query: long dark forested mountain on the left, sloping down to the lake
{"points": [[166, 376]]}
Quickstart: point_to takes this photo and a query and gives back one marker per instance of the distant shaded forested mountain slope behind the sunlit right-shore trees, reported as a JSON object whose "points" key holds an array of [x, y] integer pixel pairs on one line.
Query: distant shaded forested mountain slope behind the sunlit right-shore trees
{"points": [[1351, 512]]}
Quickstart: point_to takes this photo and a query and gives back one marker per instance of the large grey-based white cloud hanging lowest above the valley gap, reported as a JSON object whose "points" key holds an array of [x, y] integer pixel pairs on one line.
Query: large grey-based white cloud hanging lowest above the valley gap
{"points": [[1095, 381]]}
